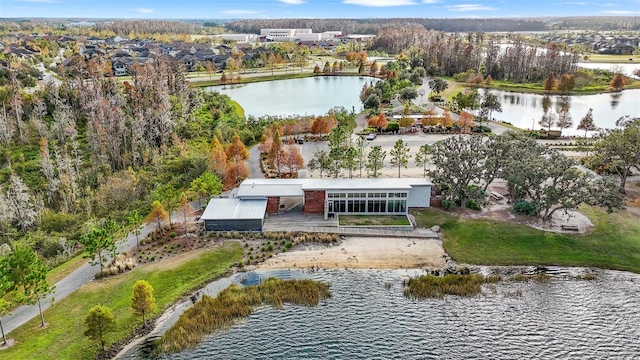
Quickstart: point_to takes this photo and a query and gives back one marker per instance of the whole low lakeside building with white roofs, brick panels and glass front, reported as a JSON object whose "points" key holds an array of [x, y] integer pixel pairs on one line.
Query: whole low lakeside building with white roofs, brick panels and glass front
{"points": [[254, 199]]}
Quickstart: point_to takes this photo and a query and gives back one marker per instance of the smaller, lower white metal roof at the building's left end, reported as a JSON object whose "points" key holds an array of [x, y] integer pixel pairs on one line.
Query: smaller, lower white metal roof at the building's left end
{"points": [[234, 209]]}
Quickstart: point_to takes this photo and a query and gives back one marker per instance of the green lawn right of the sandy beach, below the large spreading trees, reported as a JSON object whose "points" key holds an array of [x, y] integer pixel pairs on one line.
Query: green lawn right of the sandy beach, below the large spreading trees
{"points": [[614, 243]]}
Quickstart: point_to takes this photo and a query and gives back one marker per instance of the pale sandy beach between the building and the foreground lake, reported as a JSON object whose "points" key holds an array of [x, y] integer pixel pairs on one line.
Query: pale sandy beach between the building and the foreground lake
{"points": [[364, 253]]}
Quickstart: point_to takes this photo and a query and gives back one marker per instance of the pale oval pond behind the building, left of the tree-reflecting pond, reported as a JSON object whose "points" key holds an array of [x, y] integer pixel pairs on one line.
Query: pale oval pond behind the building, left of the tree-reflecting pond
{"points": [[306, 96]]}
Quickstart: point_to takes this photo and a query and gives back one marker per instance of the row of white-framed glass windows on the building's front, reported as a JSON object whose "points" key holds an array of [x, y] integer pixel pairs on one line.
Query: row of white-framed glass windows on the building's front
{"points": [[345, 202]]}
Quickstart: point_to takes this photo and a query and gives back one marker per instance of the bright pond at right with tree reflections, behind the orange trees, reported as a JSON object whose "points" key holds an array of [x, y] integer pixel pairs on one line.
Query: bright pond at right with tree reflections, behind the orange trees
{"points": [[525, 110]]}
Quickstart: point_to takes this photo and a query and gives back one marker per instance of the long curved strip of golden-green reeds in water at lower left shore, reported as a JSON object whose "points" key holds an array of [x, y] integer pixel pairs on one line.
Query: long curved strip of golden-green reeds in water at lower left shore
{"points": [[210, 315]]}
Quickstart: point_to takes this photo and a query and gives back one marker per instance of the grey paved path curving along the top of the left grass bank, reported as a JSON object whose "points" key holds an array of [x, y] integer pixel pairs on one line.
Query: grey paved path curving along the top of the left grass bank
{"points": [[72, 282]]}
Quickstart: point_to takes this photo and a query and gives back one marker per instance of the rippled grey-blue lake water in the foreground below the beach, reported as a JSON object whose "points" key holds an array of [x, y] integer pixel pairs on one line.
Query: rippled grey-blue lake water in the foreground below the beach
{"points": [[367, 317]]}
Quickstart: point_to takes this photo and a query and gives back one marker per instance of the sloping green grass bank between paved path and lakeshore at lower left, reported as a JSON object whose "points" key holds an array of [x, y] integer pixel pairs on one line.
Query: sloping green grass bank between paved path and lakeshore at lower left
{"points": [[171, 279]]}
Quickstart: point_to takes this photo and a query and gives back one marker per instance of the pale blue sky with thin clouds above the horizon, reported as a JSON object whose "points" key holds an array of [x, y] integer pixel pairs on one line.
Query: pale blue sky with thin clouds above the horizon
{"points": [[274, 9]]}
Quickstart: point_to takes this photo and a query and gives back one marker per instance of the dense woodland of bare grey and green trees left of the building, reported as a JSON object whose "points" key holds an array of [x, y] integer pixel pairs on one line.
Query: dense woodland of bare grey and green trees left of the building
{"points": [[93, 149]]}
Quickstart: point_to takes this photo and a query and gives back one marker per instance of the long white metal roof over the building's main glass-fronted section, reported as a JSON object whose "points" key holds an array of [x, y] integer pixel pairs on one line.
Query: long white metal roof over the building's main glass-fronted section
{"points": [[256, 188]]}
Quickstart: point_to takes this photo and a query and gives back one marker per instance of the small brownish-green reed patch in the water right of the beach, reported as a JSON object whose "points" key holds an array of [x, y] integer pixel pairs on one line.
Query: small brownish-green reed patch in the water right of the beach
{"points": [[431, 286]]}
